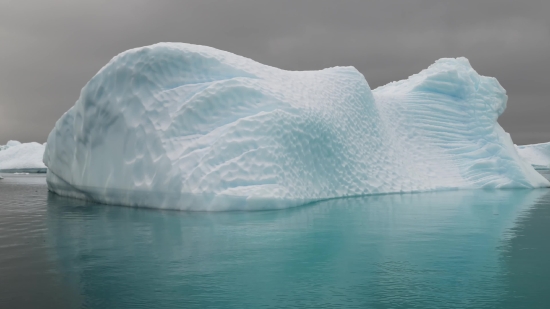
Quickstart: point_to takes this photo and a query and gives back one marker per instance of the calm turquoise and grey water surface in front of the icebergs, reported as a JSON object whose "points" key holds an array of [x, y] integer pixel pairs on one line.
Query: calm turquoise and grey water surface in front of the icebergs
{"points": [[462, 249]]}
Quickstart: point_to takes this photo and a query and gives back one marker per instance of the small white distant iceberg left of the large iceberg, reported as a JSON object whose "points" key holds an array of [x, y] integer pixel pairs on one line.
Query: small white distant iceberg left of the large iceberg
{"points": [[17, 157]]}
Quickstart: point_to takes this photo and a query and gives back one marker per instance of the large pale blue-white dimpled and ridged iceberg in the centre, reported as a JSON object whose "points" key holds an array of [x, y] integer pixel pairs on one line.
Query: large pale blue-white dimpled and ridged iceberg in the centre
{"points": [[191, 127]]}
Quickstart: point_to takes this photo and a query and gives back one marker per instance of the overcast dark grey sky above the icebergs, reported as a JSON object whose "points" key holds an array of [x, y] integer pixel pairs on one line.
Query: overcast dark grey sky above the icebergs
{"points": [[50, 49]]}
